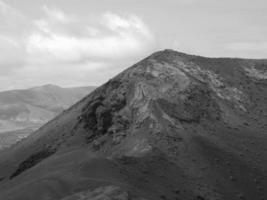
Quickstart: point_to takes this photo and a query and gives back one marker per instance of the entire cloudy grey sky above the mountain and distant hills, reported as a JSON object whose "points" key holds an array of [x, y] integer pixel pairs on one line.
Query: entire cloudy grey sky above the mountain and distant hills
{"points": [[86, 42]]}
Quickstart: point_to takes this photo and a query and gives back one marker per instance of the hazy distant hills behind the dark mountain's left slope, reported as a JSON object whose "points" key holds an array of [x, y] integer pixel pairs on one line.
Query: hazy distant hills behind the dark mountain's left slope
{"points": [[22, 111]]}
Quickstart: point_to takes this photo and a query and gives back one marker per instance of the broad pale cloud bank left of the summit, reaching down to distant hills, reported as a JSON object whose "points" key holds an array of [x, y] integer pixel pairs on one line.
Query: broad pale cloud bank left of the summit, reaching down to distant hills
{"points": [[67, 49]]}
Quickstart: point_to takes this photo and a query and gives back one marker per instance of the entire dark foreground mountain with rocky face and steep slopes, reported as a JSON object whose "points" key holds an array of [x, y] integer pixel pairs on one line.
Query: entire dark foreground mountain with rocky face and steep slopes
{"points": [[173, 126]]}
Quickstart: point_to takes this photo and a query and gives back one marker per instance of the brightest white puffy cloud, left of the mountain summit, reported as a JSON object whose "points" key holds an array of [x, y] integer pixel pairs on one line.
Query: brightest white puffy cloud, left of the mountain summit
{"points": [[111, 37]]}
